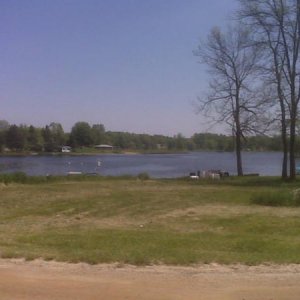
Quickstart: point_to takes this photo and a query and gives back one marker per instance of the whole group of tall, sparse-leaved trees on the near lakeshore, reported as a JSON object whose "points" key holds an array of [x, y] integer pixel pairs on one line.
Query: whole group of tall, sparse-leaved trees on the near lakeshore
{"points": [[255, 75]]}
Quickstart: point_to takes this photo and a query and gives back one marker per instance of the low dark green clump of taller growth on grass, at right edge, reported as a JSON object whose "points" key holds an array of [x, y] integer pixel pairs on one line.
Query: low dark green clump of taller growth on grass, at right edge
{"points": [[277, 198]]}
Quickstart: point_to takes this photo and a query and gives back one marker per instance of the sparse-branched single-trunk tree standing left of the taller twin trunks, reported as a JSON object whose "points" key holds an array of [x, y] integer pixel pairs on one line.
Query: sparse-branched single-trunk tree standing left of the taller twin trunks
{"points": [[232, 63]]}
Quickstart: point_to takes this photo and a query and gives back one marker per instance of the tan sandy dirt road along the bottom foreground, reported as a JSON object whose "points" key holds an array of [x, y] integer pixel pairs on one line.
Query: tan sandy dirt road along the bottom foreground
{"points": [[39, 280]]}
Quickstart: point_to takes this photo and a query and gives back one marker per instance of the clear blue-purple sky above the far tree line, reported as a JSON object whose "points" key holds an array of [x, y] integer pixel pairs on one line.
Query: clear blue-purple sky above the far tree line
{"points": [[126, 64]]}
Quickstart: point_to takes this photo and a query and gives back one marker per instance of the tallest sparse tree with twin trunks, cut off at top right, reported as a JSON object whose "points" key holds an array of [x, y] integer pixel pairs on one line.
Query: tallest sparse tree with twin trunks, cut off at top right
{"points": [[275, 25]]}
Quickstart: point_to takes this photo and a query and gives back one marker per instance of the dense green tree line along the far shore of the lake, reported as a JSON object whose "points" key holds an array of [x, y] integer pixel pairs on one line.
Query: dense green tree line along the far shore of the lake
{"points": [[51, 138]]}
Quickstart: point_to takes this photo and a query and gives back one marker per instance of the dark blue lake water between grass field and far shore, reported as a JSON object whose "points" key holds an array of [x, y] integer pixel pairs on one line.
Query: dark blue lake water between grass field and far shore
{"points": [[156, 165]]}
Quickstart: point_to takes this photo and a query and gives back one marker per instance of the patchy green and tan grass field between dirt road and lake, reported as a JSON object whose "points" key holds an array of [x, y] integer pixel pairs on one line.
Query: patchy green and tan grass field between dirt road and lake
{"points": [[144, 221]]}
